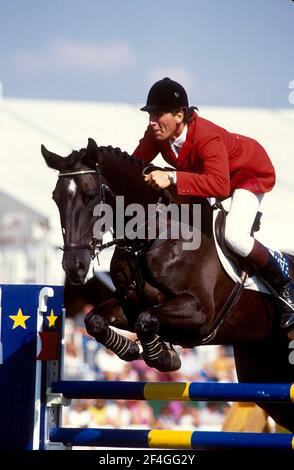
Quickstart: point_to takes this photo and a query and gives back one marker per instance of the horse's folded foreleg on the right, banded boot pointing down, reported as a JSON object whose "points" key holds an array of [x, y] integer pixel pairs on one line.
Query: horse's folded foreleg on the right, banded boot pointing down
{"points": [[177, 312]]}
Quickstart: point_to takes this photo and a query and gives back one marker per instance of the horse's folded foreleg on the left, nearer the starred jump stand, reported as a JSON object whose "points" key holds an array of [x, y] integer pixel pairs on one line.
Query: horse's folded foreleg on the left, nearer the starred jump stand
{"points": [[97, 325]]}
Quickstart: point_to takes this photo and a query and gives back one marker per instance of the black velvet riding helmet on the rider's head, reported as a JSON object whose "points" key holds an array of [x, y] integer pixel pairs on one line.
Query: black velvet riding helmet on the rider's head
{"points": [[166, 95]]}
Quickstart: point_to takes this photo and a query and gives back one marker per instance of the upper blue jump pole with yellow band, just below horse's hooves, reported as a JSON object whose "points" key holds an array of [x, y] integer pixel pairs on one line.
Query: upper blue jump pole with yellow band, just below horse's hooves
{"points": [[242, 392]]}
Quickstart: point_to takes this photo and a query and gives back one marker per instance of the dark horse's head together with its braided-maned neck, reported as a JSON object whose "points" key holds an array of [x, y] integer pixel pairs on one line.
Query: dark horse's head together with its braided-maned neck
{"points": [[86, 178]]}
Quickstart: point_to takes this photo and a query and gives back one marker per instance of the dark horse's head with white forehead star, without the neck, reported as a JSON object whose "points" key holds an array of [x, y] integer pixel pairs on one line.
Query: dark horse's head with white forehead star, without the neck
{"points": [[76, 194]]}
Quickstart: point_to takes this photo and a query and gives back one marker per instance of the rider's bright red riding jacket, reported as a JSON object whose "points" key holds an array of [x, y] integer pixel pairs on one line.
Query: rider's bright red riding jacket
{"points": [[212, 161]]}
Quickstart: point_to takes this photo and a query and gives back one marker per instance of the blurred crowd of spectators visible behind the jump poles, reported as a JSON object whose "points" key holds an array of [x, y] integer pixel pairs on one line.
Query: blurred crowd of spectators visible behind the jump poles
{"points": [[85, 359]]}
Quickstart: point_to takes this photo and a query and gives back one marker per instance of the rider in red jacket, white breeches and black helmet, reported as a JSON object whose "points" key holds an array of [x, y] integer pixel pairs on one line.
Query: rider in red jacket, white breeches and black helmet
{"points": [[212, 162]]}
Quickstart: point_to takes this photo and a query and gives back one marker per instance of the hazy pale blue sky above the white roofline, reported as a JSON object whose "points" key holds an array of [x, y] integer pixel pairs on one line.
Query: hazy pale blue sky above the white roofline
{"points": [[225, 52]]}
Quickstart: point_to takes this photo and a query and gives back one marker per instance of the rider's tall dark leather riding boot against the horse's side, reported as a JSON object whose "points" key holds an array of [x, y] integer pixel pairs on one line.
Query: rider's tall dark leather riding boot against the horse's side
{"points": [[270, 271]]}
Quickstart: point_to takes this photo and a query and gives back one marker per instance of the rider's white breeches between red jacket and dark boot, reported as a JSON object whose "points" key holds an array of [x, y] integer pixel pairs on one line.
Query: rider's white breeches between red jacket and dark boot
{"points": [[240, 218]]}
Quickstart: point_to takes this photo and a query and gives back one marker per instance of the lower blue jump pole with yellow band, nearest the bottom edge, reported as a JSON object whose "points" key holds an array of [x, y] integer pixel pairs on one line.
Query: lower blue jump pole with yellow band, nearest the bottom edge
{"points": [[161, 439]]}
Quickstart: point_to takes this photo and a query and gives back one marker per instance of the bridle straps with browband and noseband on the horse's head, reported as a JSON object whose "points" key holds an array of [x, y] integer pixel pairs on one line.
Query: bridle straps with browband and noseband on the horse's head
{"points": [[95, 246]]}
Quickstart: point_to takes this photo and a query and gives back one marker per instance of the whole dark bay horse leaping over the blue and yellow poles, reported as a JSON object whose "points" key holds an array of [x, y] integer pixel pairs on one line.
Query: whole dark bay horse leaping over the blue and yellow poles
{"points": [[165, 293]]}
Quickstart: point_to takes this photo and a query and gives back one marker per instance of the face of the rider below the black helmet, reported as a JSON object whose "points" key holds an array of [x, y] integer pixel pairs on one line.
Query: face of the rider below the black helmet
{"points": [[166, 125]]}
